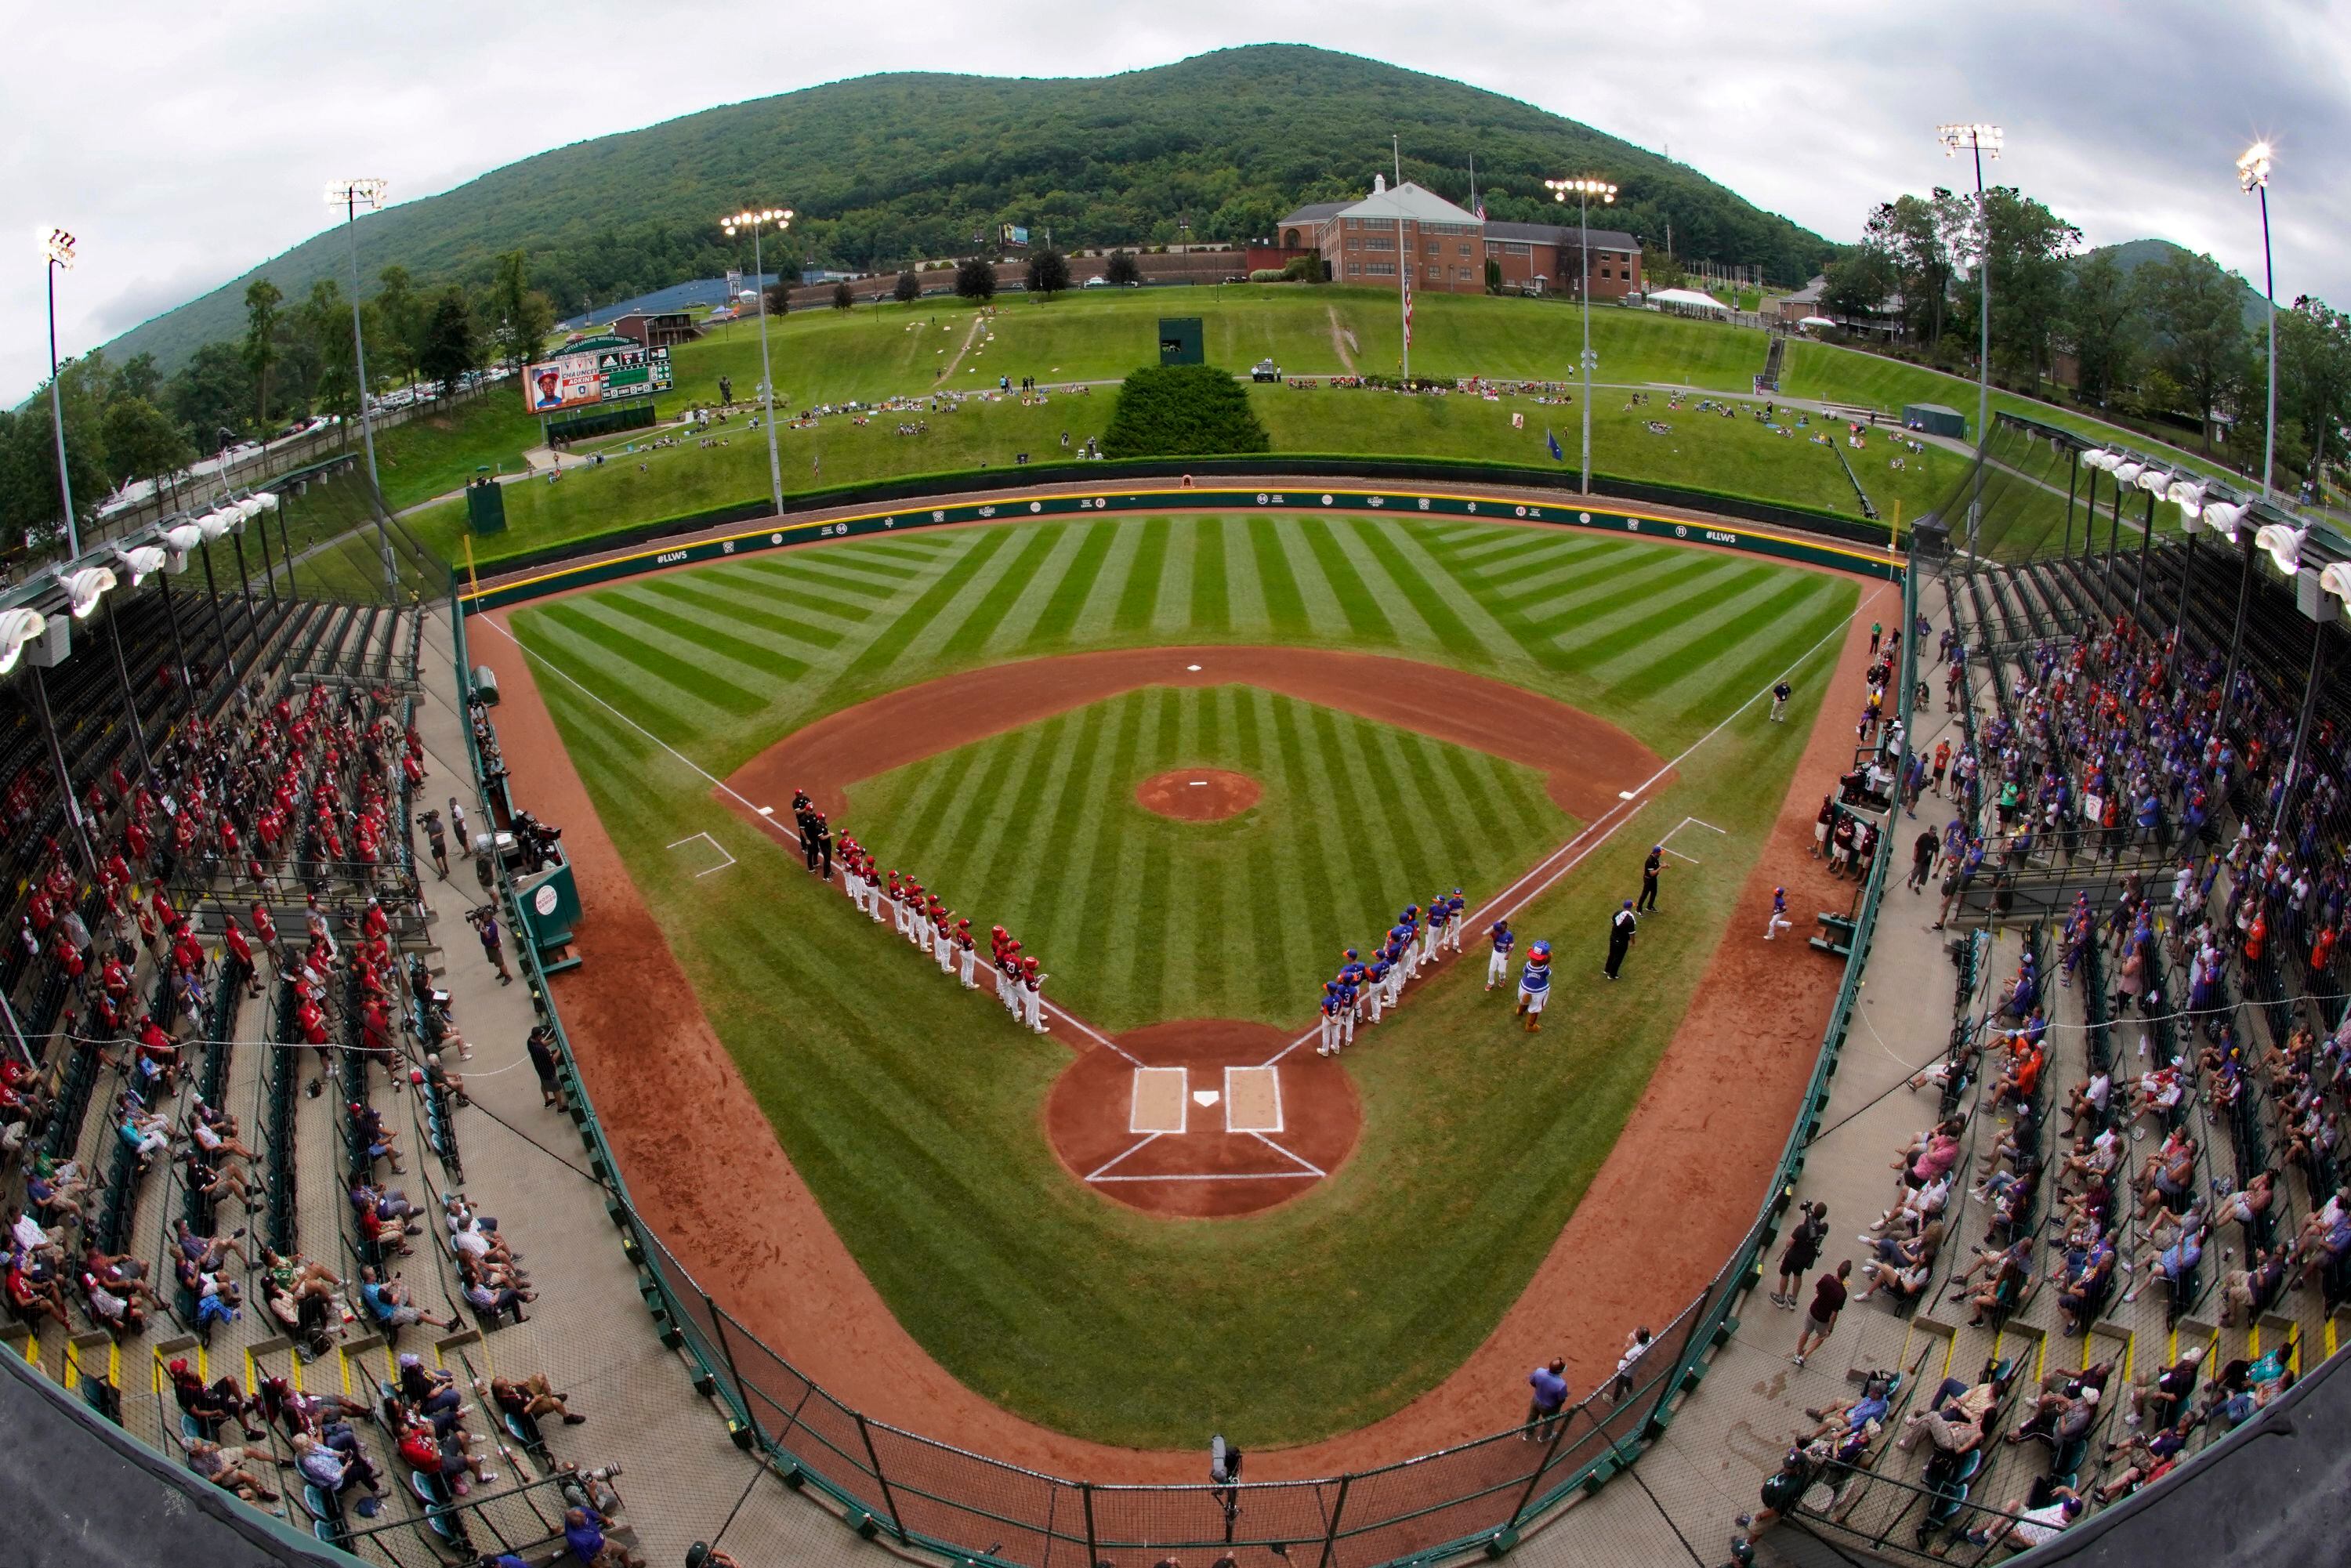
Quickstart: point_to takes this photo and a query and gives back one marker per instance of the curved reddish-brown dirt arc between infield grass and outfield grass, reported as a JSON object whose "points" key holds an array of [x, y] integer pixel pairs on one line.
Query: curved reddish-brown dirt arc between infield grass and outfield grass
{"points": [[1586, 760]]}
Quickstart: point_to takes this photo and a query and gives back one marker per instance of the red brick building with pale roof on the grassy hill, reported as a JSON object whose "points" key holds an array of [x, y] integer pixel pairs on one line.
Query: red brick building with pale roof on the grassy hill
{"points": [[1449, 248]]}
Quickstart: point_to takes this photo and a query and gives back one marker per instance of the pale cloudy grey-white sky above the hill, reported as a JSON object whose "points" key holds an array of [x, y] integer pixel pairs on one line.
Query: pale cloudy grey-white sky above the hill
{"points": [[185, 145]]}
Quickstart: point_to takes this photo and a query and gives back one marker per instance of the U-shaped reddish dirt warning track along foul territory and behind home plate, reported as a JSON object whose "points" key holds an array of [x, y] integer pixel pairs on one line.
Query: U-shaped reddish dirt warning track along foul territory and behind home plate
{"points": [[1677, 1188]]}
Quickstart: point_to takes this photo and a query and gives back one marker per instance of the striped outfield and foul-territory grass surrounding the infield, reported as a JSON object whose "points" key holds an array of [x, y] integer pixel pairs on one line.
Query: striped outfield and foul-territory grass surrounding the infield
{"points": [[918, 1125]]}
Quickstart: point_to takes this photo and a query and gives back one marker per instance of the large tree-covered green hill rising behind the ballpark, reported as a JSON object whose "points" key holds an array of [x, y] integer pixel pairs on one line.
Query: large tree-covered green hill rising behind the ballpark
{"points": [[890, 168]]}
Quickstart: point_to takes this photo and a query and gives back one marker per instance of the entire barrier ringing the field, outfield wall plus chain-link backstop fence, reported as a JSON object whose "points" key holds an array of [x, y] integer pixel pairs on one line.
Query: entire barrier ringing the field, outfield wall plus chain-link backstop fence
{"points": [[967, 1508]]}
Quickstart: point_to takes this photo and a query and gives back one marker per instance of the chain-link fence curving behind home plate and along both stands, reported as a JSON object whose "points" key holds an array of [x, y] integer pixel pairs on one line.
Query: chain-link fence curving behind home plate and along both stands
{"points": [[946, 1501]]}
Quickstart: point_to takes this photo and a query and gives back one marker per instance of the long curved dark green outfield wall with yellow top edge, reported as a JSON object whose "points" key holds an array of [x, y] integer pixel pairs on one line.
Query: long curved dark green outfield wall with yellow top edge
{"points": [[1186, 500]]}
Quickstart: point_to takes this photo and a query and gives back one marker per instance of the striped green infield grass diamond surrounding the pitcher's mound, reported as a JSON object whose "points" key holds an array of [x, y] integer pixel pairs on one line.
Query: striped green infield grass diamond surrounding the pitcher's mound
{"points": [[1200, 906]]}
